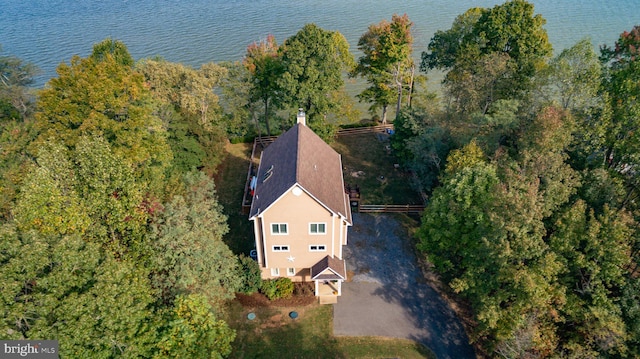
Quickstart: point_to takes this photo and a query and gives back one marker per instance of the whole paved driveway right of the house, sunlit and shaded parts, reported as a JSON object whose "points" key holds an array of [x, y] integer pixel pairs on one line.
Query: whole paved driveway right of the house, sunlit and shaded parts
{"points": [[388, 295]]}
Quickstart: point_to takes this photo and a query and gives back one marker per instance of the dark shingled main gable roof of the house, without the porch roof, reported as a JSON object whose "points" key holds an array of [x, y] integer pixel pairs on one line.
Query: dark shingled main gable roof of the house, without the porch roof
{"points": [[299, 155]]}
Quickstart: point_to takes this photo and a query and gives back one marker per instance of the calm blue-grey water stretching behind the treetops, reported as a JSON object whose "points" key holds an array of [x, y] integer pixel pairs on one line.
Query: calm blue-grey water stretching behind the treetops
{"points": [[47, 32]]}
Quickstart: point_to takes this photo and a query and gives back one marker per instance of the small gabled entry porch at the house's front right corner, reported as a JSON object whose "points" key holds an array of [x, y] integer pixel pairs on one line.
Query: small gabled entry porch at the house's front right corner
{"points": [[328, 275]]}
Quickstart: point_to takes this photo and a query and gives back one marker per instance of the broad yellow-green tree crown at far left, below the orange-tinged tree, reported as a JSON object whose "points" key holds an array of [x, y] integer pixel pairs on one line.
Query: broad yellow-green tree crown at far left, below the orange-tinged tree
{"points": [[89, 191]]}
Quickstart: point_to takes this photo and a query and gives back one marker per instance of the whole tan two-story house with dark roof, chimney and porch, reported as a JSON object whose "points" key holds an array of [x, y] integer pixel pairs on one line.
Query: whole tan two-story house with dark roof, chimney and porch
{"points": [[300, 211]]}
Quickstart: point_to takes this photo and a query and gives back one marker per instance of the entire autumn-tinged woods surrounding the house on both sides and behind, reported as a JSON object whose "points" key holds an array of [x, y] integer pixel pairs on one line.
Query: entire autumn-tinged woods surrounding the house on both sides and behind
{"points": [[112, 237]]}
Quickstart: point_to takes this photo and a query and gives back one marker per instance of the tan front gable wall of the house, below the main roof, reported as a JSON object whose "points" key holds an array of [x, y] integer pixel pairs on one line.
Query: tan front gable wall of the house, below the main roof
{"points": [[298, 212]]}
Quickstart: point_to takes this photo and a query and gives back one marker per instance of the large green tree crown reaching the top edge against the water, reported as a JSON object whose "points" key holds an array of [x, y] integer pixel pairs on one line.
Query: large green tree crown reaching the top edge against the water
{"points": [[492, 54]]}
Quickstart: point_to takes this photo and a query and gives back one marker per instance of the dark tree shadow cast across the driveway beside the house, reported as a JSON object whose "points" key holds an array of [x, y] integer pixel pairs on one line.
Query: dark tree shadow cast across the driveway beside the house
{"points": [[378, 252]]}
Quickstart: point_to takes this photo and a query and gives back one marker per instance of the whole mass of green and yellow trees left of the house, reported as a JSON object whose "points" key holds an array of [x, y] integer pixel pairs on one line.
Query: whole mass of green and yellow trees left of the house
{"points": [[90, 251]]}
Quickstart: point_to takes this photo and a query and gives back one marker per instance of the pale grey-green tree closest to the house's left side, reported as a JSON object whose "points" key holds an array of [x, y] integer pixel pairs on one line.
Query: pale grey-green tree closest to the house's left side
{"points": [[189, 255]]}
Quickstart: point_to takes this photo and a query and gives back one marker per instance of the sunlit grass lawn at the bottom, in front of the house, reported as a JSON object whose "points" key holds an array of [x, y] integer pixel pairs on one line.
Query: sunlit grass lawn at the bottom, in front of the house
{"points": [[273, 334]]}
